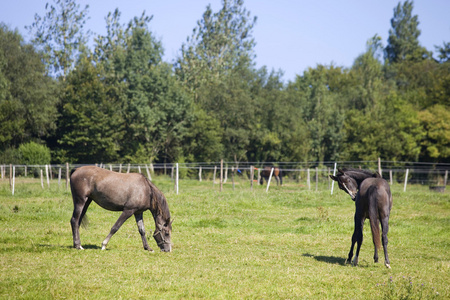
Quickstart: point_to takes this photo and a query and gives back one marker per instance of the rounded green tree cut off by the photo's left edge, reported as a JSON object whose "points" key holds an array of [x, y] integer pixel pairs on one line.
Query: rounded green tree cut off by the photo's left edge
{"points": [[27, 96]]}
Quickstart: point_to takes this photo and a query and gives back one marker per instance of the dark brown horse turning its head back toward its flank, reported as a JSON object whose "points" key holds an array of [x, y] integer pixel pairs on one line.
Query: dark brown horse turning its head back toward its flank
{"points": [[373, 200]]}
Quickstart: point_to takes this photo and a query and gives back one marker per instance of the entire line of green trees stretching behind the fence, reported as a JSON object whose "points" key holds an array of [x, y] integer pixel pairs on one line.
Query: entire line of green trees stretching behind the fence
{"points": [[119, 101]]}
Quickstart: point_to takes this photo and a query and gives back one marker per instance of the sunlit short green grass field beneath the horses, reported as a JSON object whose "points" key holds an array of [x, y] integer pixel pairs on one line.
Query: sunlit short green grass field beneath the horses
{"points": [[289, 243]]}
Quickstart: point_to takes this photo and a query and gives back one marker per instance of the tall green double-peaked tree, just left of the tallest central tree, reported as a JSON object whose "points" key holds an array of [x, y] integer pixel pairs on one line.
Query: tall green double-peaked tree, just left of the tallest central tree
{"points": [[155, 108]]}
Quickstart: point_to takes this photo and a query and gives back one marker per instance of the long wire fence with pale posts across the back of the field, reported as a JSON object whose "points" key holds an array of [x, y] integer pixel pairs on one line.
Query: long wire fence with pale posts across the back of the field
{"points": [[310, 175]]}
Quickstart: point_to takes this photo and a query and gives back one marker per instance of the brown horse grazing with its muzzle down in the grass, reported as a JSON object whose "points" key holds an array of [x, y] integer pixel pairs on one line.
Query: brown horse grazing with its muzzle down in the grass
{"points": [[130, 193]]}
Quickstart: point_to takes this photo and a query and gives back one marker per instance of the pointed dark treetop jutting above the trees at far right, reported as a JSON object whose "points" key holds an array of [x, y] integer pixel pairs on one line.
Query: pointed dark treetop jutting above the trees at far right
{"points": [[403, 41]]}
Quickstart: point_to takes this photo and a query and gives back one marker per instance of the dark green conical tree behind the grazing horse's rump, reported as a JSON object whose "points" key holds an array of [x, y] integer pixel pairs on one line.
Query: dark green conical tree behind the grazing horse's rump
{"points": [[90, 128]]}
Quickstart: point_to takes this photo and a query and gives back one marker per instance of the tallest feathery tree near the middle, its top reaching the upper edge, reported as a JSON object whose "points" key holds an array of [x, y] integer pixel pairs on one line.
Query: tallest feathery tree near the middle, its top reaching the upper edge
{"points": [[216, 65]]}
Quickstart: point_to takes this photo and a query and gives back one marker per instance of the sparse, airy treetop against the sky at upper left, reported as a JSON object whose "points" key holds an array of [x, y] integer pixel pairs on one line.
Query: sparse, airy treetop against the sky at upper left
{"points": [[59, 33]]}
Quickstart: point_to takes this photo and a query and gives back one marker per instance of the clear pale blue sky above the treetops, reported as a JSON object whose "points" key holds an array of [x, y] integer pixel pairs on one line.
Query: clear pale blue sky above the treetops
{"points": [[291, 35]]}
